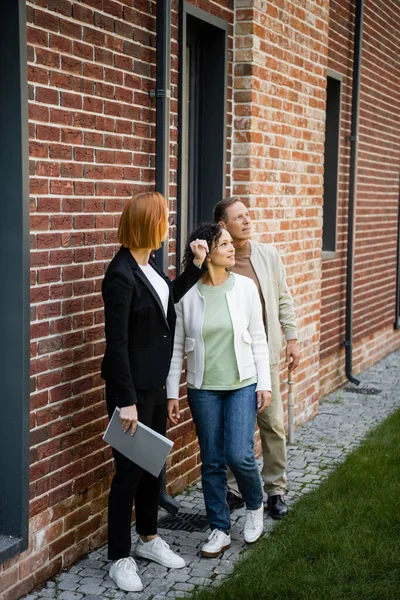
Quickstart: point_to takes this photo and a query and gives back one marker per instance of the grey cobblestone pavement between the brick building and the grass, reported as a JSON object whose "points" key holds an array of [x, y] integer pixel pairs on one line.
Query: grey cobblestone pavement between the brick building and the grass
{"points": [[343, 421]]}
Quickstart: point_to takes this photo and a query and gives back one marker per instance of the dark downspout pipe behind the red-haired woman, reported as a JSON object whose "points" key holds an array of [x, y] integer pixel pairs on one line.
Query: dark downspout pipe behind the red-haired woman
{"points": [[162, 95]]}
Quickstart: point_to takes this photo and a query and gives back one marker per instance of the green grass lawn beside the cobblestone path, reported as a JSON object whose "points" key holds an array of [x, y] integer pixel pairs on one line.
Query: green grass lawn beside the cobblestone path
{"points": [[339, 542]]}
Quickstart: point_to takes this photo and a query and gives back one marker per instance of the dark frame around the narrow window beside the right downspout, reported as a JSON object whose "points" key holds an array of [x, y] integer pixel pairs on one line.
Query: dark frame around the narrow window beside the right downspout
{"points": [[334, 150]]}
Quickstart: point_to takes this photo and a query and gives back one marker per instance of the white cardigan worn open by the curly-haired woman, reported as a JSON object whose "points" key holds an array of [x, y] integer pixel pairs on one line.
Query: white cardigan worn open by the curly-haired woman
{"points": [[250, 342]]}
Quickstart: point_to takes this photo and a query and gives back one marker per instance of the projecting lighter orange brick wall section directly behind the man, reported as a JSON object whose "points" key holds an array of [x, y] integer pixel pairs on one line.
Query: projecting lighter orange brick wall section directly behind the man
{"points": [[279, 109]]}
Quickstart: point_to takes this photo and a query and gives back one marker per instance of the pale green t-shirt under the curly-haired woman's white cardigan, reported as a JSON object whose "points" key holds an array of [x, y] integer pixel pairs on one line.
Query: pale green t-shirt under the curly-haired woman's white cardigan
{"points": [[220, 366]]}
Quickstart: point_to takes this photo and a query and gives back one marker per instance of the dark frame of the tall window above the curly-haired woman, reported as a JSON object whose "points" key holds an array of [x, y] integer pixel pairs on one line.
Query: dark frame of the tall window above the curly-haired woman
{"points": [[186, 172]]}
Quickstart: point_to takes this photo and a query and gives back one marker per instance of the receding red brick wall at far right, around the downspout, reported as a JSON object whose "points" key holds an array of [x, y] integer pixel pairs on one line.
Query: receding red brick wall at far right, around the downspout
{"points": [[377, 202]]}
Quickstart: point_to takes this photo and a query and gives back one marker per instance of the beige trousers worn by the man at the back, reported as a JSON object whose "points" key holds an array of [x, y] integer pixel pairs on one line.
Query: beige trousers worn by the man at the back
{"points": [[273, 443]]}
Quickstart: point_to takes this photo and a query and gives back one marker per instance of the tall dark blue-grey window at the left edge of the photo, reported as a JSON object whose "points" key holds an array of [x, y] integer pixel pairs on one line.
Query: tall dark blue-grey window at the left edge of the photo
{"points": [[14, 277]]}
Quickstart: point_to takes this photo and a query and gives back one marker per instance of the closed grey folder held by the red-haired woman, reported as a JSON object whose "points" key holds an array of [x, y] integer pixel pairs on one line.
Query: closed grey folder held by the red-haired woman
{"points": [[145, 447]]}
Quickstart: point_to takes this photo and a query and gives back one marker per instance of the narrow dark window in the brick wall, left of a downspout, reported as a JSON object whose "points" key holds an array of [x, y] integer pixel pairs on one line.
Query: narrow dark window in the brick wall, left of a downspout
{"points": [[331, 164]]}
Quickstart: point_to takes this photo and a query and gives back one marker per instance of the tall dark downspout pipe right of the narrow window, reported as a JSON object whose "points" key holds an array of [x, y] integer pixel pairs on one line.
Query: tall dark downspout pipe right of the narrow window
{"points": [[353, 139]]}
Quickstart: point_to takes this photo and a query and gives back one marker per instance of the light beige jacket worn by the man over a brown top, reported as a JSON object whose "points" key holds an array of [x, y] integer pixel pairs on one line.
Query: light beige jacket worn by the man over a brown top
{"points": [[278, 301]]}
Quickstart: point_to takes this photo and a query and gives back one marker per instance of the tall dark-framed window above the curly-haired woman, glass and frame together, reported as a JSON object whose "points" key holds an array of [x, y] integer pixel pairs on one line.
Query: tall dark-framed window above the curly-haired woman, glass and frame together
{"points": [[202, 126]]}
